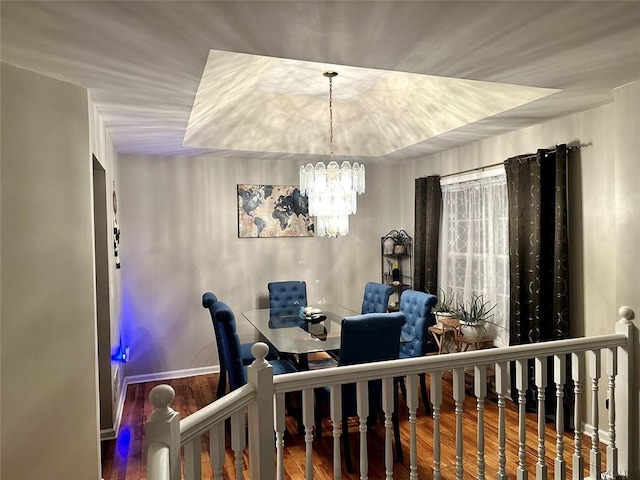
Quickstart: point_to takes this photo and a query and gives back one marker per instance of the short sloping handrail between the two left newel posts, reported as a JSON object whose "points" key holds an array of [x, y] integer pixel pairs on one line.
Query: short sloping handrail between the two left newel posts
{"points": [[201, 421]]}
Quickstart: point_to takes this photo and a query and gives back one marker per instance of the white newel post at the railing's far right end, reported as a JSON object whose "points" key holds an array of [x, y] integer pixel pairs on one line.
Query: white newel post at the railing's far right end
{"points": [[625, 396]]}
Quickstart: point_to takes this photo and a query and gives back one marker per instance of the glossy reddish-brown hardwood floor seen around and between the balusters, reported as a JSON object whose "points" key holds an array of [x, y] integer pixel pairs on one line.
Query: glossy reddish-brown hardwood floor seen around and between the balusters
{"points": [[123, 458]]}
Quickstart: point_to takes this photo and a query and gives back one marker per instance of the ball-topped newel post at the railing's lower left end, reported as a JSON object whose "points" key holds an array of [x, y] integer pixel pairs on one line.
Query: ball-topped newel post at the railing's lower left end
{"points": [[163, 427]]}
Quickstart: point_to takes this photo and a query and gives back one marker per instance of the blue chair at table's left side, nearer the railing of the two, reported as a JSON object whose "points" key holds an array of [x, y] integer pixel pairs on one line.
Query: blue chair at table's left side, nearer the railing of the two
{"points": [[230, 342]]}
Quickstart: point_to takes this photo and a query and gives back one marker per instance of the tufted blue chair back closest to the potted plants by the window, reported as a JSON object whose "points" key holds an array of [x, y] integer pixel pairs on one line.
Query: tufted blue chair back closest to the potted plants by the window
{"points": [[416, 307]]}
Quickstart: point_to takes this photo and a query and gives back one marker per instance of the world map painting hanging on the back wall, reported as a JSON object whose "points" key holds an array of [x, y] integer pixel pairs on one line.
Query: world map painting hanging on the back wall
{"points": [[267, 211]]}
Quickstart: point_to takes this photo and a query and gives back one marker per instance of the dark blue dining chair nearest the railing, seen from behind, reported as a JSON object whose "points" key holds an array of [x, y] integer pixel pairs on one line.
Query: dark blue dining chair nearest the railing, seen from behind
{"points": [[372, 337]]}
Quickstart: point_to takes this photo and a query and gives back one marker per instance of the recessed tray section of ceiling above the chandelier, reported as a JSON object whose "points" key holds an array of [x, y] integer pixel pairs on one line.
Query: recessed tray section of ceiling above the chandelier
{"points": [[256, 103]]}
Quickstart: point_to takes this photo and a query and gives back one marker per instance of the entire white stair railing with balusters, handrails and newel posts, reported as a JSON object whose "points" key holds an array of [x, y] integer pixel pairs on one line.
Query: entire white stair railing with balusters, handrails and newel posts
{"points": [[262, 401]]}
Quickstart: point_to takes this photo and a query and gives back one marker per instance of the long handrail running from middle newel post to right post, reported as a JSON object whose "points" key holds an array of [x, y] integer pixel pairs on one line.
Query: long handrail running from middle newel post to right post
{"points": [[397, 368]]}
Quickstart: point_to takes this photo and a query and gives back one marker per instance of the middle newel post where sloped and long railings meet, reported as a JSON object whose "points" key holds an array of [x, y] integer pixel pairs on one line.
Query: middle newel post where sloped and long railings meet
{"points": [[261, 431]]}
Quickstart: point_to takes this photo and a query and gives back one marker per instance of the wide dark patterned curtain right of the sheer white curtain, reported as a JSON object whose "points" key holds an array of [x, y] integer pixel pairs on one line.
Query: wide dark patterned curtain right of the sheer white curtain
{"points": [[538, 251]]}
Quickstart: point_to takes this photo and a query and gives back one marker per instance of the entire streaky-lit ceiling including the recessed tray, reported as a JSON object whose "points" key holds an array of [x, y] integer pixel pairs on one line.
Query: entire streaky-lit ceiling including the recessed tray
{"points": [[143, 63]]}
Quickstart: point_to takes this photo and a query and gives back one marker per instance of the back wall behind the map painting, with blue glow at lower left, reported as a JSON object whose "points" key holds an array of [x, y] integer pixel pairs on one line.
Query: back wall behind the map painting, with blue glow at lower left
{"points": [[179, 240]]}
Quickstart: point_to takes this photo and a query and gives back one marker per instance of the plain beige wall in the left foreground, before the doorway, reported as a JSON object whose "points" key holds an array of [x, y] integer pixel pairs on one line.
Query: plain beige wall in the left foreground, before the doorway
{"points": [[48, 348]]}
